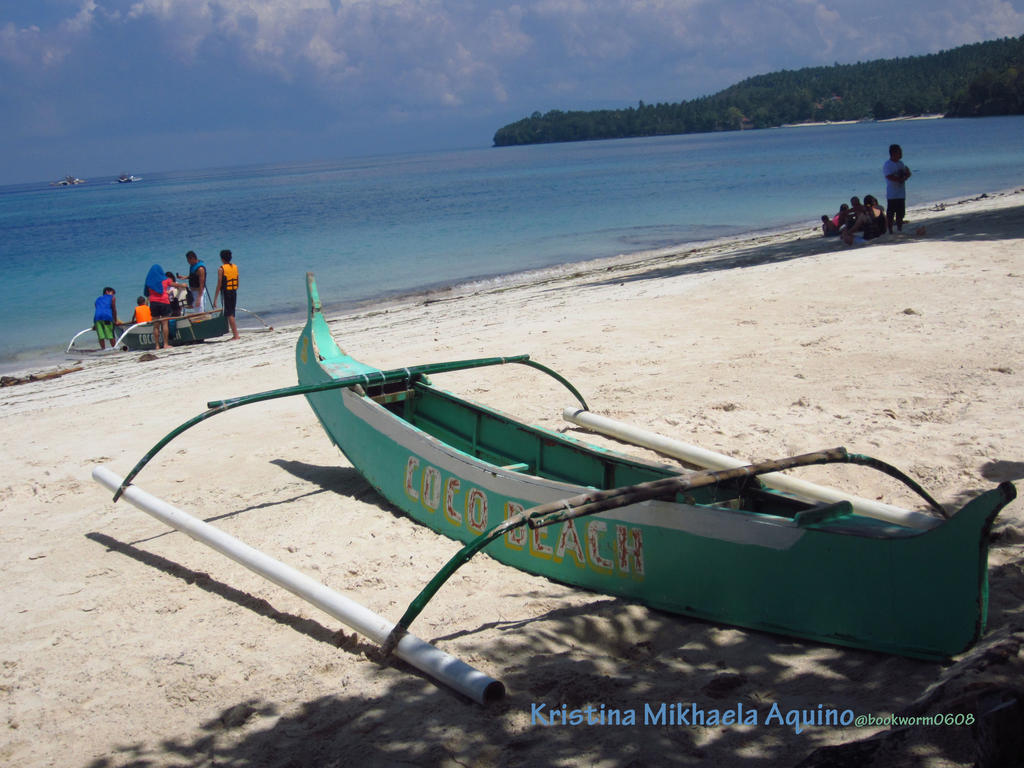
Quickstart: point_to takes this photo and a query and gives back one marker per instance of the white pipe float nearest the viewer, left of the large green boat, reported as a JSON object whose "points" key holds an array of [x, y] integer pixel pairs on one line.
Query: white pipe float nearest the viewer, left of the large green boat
{"points": [[438, 664]]}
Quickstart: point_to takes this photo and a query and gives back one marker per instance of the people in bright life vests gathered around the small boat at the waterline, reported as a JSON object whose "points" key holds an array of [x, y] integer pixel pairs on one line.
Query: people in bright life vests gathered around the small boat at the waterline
{"points": [[164, 297]]}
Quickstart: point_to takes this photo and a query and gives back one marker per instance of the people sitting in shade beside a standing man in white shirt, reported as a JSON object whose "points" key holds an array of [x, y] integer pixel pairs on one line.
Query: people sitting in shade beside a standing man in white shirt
{"points": [[861, 222]]}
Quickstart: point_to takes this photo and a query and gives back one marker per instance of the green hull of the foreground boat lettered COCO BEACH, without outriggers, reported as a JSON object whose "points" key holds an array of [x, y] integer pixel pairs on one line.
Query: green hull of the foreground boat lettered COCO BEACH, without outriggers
{"points": [[848, 580]]}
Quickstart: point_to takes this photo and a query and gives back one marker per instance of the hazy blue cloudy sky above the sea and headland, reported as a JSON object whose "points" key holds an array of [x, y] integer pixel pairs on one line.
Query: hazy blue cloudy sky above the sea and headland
{"points": [[98, 88]]}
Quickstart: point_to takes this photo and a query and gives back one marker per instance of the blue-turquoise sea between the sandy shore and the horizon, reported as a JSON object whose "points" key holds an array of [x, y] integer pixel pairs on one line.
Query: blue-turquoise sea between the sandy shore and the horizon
{"points": [[371, 228]]}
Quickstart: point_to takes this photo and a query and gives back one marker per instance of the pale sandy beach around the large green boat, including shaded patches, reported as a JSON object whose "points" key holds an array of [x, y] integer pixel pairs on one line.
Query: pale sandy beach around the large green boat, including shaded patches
{"points": [[127, 645]]}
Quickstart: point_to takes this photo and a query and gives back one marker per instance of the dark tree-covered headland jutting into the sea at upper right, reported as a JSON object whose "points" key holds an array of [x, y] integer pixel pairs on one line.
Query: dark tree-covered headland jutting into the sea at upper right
{"points": [[977, 80]]}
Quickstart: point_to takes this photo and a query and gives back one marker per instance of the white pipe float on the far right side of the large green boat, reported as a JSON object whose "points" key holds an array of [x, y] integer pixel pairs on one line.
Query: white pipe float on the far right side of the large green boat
{"points": [[711, 460]]}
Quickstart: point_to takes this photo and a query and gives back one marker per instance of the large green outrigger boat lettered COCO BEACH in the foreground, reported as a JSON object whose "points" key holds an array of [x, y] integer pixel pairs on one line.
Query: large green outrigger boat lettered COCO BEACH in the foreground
{"points": [[718, 545]]}
